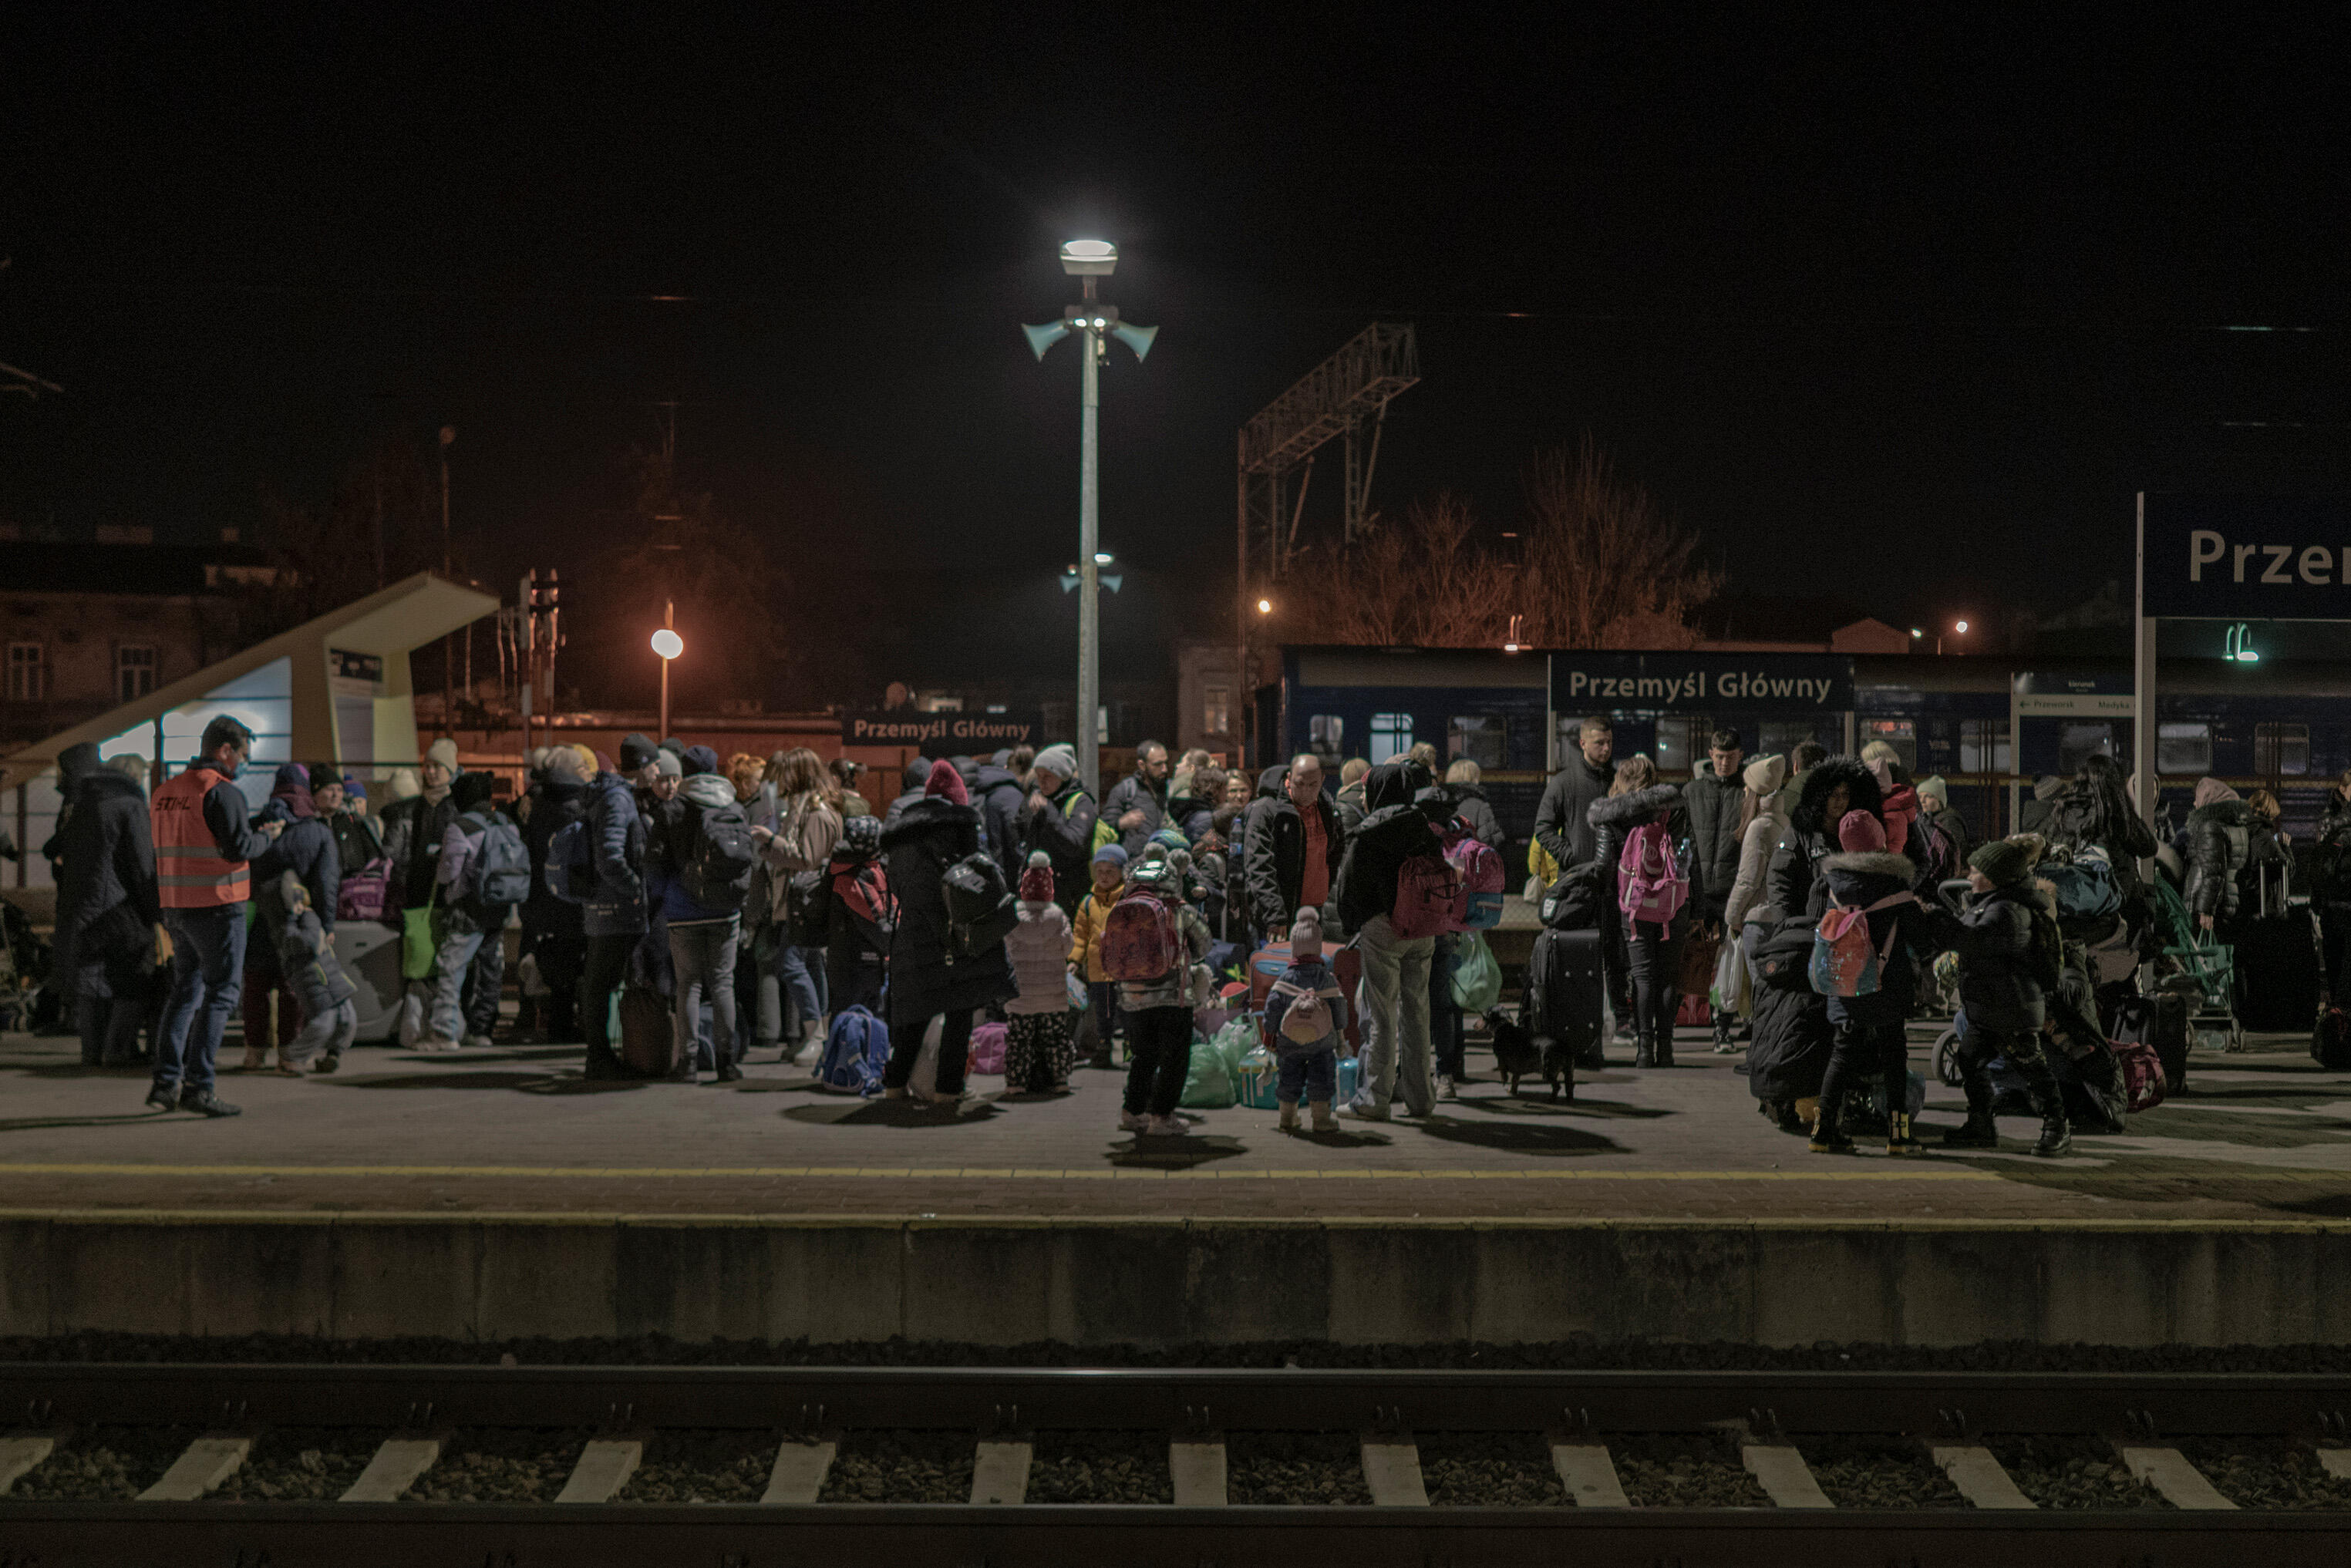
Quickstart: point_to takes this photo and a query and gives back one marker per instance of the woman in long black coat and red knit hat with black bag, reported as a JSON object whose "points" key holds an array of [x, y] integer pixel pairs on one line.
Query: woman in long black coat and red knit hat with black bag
{"points": [[925, 979]]}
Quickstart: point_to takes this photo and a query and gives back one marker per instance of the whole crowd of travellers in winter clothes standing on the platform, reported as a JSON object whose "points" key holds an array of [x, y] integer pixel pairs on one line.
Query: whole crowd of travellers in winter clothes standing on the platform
{"points": [[681, 911]]}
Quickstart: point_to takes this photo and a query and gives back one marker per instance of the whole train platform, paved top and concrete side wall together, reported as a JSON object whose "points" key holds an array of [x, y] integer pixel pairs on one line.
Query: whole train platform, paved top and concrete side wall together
{"points": [[500, 1193]]}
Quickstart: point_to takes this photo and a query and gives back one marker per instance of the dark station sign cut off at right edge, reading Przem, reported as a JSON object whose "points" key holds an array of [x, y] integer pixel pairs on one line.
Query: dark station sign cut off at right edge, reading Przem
{"points": [[2246, 558]]}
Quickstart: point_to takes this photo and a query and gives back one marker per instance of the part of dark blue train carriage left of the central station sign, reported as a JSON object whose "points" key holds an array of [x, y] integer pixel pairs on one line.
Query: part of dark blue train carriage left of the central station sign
{"points": [[1379, 704]]}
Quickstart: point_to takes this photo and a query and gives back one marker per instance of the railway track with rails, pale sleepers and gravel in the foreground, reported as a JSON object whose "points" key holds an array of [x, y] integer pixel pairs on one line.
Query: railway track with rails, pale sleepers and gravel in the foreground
{"points": [[361, 1466]]}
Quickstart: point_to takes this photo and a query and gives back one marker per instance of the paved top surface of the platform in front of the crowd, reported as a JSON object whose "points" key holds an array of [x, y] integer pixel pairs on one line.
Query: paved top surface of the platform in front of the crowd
{"points": [[516, 1130]]}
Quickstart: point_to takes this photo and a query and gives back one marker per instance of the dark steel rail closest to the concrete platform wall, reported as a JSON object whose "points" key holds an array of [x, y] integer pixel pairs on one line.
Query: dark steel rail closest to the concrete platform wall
{"points": [[1245, 1400]]}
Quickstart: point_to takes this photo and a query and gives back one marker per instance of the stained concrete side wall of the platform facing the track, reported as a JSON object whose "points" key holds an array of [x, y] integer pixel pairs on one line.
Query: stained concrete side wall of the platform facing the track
{"points": [[1170, 1282]]}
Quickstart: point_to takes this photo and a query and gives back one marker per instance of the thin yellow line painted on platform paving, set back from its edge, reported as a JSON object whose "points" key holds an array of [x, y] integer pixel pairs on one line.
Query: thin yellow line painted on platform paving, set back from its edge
{"points": [[1010, 1174]]}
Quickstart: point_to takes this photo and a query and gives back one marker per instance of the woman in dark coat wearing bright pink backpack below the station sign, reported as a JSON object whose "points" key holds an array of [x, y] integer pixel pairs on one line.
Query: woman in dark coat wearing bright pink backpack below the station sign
{"points": [[1647, 864]]}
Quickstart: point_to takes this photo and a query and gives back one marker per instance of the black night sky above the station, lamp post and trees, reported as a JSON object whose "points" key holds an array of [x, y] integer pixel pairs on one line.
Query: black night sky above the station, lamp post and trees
{"points": [[1901, 309]]}
